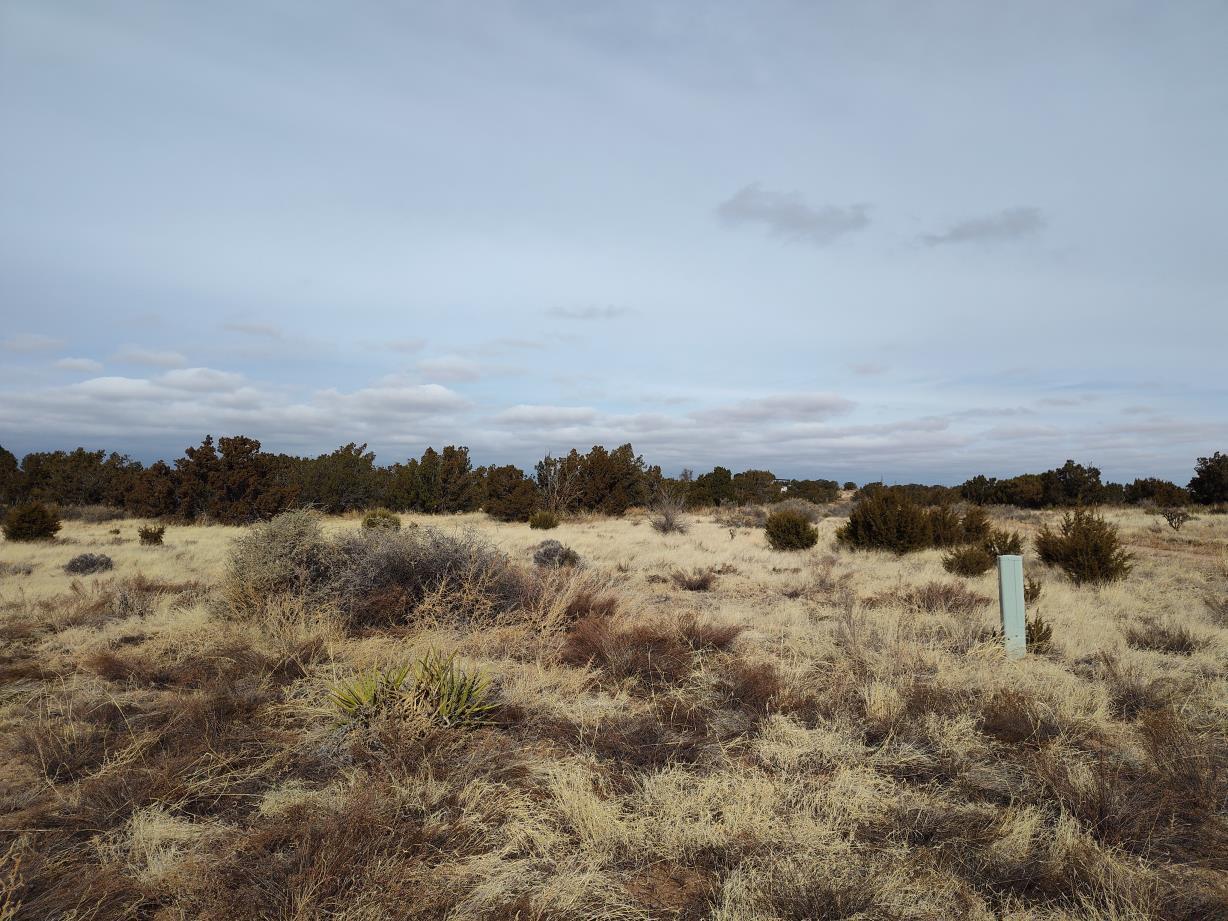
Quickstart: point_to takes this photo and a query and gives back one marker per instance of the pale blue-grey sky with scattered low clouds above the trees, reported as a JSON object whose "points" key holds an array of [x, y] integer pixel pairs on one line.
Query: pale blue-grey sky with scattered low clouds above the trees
{"points": [[912, 241]]}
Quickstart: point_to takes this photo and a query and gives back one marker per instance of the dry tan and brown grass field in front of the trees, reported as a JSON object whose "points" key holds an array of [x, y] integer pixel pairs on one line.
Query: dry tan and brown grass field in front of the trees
{"points": [[690, 726]]}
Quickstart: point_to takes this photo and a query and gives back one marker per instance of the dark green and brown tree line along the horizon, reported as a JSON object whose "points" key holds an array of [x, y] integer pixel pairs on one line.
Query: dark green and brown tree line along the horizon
{"points": [[234, 481]]}
